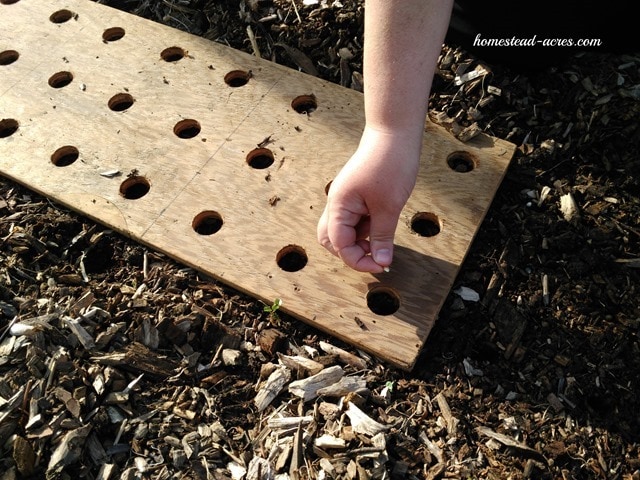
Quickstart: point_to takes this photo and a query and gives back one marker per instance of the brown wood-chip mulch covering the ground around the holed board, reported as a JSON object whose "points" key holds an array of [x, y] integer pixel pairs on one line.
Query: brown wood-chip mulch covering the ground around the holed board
{"points": [[116, 362]]}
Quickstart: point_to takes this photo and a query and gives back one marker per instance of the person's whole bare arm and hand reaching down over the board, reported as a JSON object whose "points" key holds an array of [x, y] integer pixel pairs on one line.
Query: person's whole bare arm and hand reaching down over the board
{"points": [[403, 39]]}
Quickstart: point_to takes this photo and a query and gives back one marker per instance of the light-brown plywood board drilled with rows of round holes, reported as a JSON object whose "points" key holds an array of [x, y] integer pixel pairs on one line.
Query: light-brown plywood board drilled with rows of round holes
{"points": [[77, 102]]}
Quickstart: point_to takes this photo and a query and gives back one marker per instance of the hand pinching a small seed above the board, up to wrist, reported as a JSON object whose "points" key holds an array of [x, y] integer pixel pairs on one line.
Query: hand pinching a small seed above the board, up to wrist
{"points": [[365, 199]]}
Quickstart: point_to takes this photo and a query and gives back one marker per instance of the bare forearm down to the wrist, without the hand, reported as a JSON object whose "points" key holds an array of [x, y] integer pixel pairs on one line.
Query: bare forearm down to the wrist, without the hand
{"points": [[403, 39]]}
